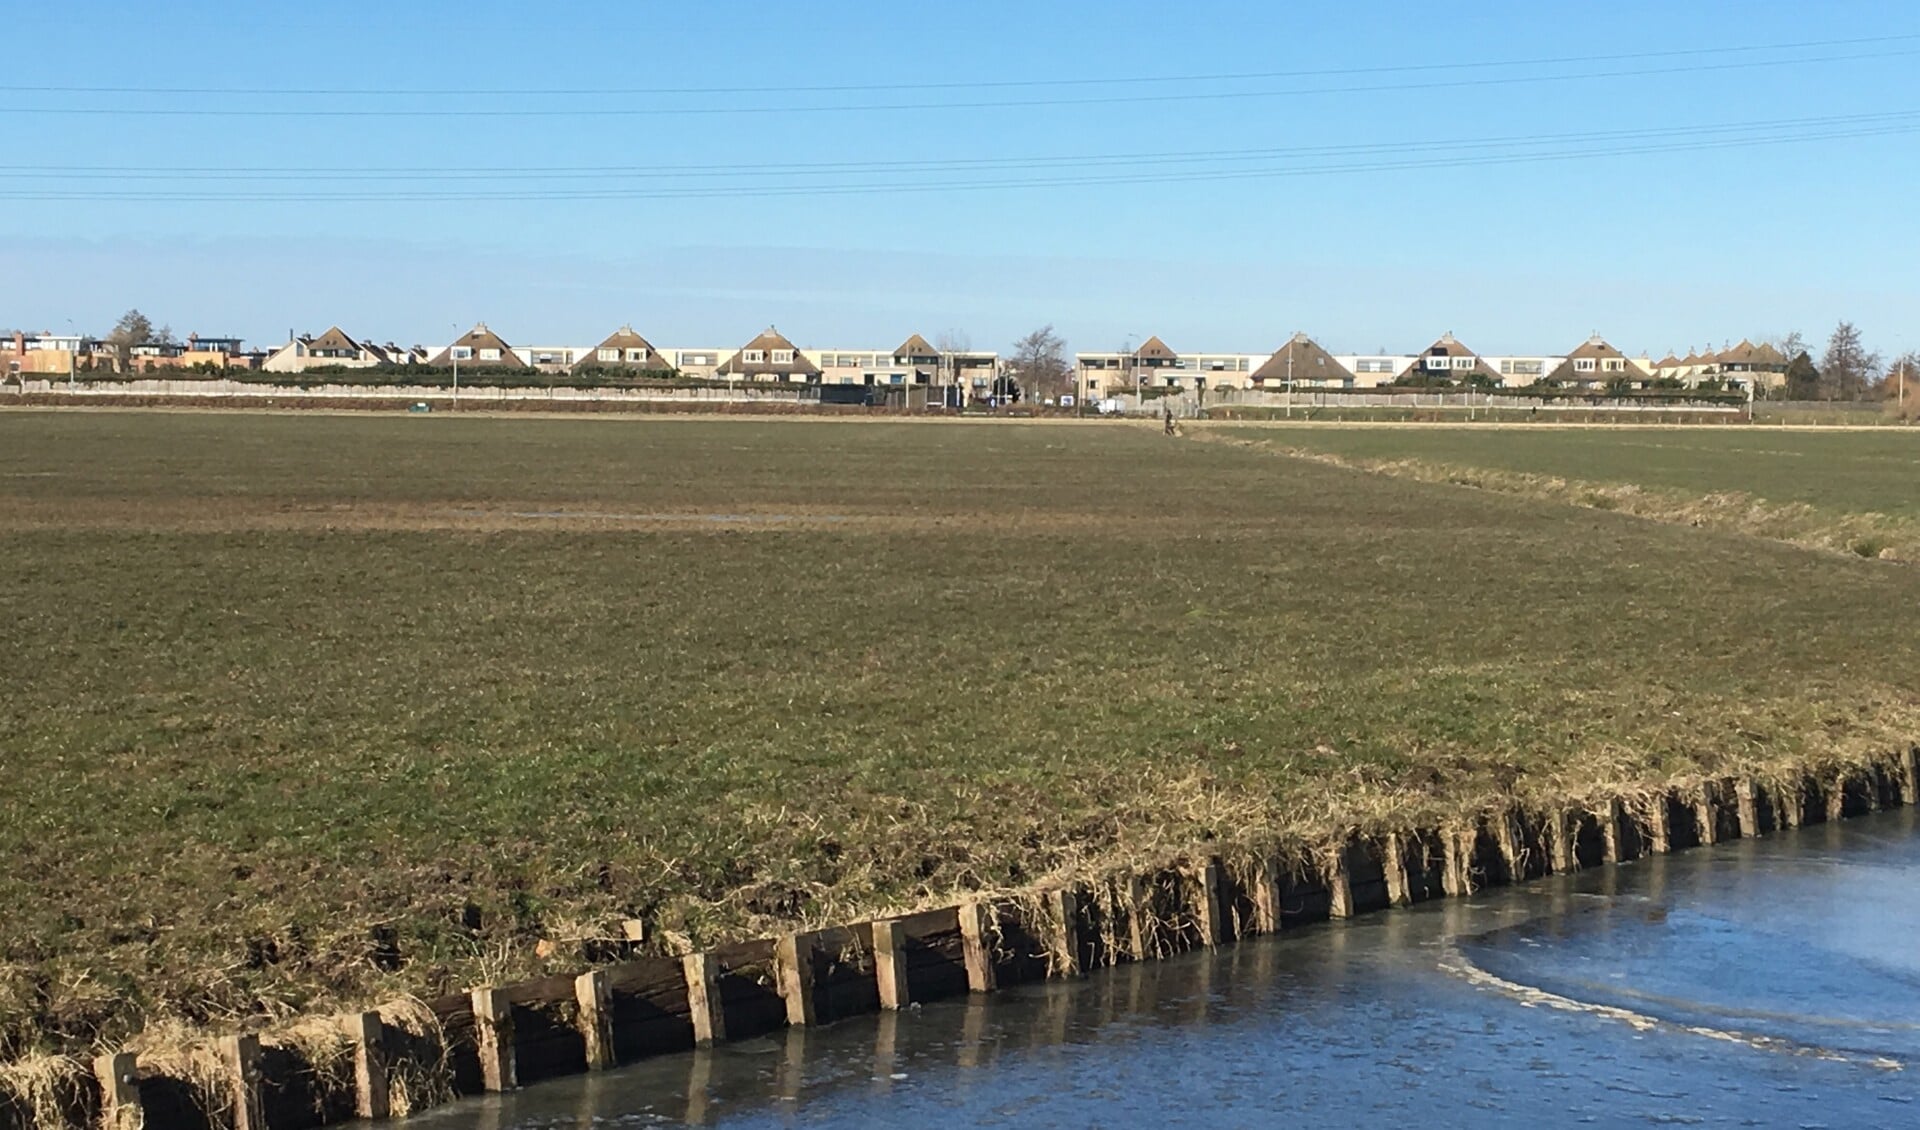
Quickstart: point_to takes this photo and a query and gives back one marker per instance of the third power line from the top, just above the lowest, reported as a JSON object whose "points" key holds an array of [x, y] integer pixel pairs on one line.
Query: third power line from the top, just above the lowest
{"points": [[143, 174]]}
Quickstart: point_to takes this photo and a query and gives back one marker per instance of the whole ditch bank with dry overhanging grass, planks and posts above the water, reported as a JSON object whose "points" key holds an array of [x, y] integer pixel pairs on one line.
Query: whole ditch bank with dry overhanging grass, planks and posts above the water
{"points": [[412, 1056]]}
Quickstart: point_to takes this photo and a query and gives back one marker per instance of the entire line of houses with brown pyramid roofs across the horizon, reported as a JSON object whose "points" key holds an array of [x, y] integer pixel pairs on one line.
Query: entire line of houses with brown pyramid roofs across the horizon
{"points": [[775, 358]]}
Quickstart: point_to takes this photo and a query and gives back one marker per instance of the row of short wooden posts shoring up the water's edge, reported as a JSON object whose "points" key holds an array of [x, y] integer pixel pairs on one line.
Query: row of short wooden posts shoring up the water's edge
{"points": [[500, 1037]]}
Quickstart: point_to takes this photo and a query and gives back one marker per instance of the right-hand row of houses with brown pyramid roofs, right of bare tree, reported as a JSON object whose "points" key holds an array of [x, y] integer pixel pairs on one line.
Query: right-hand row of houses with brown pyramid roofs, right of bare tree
{"points": [[1303, 364]]}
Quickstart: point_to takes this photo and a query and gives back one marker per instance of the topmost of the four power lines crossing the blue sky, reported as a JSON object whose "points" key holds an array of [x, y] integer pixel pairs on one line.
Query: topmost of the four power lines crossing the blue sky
{"points": [[972, 85]]}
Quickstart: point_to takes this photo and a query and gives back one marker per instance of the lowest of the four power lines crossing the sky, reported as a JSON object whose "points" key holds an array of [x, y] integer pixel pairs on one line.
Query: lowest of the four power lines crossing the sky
{"points": [[878, 189]]}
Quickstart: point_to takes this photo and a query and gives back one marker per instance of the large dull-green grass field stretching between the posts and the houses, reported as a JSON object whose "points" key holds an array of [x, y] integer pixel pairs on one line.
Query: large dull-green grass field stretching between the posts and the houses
{"points": [[300, 711]]}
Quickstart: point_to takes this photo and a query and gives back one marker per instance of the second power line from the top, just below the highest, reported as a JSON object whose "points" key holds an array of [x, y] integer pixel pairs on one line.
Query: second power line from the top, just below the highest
{"points": [[921, 106]]}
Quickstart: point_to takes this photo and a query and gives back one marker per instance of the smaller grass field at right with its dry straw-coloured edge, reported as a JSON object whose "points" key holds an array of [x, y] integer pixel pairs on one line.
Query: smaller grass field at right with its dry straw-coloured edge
{"points": [[1848, 492]]}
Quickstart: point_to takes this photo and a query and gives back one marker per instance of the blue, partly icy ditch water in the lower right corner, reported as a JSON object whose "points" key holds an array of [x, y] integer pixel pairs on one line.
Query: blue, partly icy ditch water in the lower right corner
{"points": [[1600, 999]]}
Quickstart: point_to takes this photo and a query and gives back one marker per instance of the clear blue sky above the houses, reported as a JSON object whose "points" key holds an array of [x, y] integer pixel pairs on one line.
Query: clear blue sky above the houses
{"points": [[1658, 250]]}
